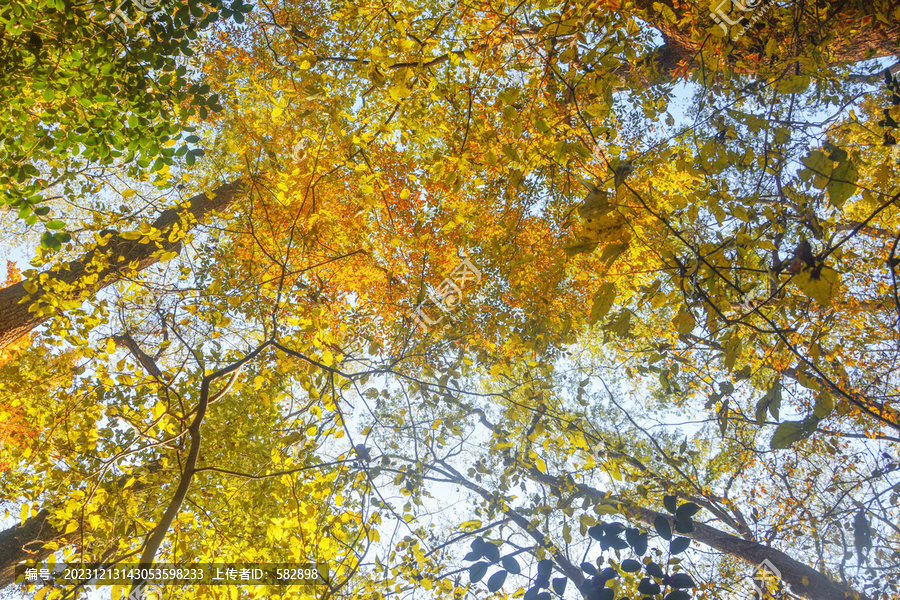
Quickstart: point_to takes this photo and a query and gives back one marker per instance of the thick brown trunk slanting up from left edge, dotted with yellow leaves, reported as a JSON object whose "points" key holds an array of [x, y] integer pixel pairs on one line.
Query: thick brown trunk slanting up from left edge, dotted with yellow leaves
{"points": [[105, 264]]}
